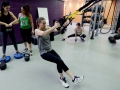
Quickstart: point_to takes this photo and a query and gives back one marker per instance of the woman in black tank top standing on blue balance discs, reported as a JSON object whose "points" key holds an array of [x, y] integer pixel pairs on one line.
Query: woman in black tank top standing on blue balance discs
{"points": [[6, 26]]}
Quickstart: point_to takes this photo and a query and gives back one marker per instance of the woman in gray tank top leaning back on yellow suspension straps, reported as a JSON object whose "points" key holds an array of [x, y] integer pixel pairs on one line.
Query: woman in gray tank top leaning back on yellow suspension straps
{"points": [[48, 54]]}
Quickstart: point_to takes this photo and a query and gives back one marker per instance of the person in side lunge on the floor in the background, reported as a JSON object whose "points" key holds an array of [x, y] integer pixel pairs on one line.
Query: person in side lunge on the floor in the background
{"points": [[78, 32]]}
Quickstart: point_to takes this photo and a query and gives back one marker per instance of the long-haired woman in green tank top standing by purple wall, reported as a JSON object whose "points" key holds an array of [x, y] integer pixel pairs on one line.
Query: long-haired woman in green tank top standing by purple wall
{"points": [[26, 23]]}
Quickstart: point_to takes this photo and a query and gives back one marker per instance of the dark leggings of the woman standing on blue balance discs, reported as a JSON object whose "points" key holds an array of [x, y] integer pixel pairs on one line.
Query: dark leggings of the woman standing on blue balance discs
{"points": [[4, 40]]}
